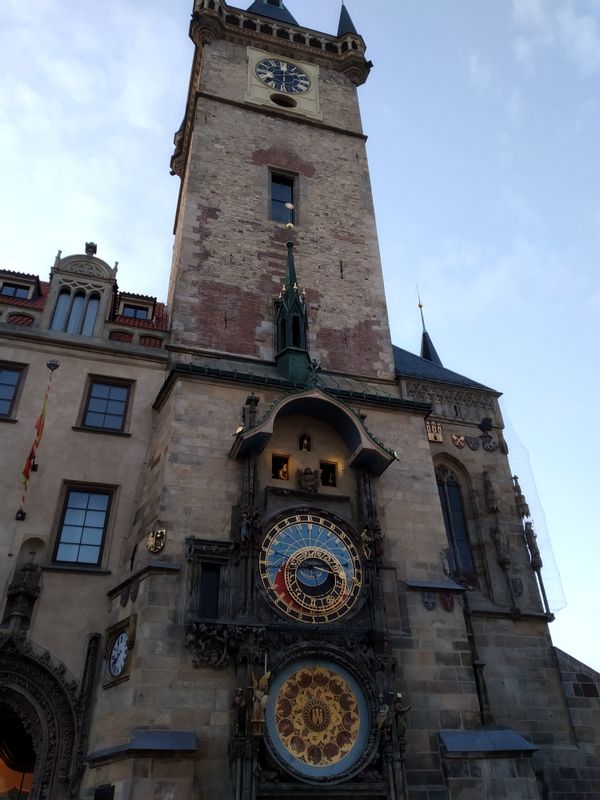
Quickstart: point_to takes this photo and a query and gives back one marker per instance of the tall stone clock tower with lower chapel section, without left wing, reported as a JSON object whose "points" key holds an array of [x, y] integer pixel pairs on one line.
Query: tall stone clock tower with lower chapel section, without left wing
{"points": [[309, 615]]}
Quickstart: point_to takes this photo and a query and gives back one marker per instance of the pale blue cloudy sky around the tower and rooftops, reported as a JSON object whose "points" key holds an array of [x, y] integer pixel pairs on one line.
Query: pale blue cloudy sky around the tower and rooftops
{"points": [[483, 121]]}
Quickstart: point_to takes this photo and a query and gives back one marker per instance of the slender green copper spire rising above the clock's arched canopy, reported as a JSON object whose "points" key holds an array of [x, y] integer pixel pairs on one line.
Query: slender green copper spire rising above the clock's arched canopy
{"points": [[291, 352]]}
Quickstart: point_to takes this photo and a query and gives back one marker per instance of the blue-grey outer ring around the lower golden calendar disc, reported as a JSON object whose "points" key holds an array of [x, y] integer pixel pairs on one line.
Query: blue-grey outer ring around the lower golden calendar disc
{"points": [[343, 768]]}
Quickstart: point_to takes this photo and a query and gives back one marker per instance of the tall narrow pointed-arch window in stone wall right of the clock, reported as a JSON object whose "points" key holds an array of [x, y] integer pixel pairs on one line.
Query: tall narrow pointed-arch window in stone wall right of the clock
{"points": [[460, 555]]}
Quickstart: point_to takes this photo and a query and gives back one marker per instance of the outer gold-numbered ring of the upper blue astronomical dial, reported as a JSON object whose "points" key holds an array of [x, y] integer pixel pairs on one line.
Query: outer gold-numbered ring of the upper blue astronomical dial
{"points": [[274, 581]]}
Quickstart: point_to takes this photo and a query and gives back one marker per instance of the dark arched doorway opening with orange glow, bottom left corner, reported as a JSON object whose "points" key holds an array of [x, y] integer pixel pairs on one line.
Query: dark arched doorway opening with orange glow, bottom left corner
{"points": [[17, 757]]}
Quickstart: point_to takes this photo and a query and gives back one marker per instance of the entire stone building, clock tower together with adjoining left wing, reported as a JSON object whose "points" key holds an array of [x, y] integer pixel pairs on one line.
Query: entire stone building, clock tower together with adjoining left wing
{"points": [[230, 579]]}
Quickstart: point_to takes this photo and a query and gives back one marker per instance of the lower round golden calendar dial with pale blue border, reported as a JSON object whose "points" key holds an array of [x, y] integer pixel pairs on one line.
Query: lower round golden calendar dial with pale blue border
{"points": [[317, 719]]}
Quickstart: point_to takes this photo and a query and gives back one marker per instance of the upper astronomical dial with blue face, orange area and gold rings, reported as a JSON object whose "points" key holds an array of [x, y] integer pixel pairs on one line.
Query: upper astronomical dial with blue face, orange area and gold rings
{"points": [[310, 569]]}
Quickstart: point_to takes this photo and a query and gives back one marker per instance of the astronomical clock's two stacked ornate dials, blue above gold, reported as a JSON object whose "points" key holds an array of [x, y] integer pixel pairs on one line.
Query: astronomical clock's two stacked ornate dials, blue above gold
{"points": [[319, 710]]}
